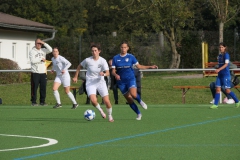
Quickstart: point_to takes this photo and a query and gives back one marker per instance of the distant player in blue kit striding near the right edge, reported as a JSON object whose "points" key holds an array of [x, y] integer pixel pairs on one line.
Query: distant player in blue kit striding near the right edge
{"points": [[224, 77]]}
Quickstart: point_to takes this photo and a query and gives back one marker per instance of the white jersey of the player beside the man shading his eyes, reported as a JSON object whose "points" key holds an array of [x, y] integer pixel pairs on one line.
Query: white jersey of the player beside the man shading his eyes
{"points": [[59, 64]]}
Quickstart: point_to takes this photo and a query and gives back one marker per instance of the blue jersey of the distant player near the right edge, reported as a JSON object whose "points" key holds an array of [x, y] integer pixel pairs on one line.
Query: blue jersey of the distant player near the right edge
{"points": [[221, 61]]}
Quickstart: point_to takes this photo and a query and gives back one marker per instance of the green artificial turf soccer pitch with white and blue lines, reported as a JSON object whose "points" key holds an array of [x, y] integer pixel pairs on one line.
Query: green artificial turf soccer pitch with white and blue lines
{"points": [[166, 132]]}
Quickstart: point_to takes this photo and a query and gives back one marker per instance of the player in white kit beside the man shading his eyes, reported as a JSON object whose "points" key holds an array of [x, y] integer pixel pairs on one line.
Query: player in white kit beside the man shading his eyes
{"points": [[60, 66]]}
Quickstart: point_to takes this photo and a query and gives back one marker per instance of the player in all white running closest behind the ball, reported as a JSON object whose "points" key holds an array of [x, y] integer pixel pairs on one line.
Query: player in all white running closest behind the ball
{"points": [[95, 66]]}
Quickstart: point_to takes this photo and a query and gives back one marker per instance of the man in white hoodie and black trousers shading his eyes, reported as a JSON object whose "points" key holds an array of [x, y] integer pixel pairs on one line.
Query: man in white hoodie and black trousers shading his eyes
{"points": [[38, 71]]}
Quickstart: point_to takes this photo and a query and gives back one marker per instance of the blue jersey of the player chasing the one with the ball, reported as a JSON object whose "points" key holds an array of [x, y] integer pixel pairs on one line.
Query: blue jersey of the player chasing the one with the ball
{"points": [[123, 66]]}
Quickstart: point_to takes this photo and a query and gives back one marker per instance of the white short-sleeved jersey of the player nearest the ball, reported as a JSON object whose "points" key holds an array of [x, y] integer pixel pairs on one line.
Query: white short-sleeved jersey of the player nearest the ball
{"points": [[94, 67]]}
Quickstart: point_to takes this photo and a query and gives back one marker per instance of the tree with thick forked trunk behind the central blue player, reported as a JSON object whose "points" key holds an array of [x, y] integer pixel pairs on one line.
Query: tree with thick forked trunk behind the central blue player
{"points": [[169, 16]]}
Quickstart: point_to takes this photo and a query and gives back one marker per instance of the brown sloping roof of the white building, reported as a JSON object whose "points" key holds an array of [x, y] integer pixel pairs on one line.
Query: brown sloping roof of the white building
{"points": [[13, 22]]}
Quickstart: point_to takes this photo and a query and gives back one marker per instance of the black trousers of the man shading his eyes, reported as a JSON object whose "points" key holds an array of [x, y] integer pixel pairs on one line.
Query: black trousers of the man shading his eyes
{"points": [[36, 80]]}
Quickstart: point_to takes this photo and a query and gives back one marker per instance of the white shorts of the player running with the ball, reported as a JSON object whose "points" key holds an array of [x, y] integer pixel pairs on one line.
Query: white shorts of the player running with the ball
{"points": [[100, 86]]}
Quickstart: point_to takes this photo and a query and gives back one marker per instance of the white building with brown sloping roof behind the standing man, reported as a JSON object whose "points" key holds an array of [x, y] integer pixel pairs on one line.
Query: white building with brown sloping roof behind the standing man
{"points": [[17, 38]]}
